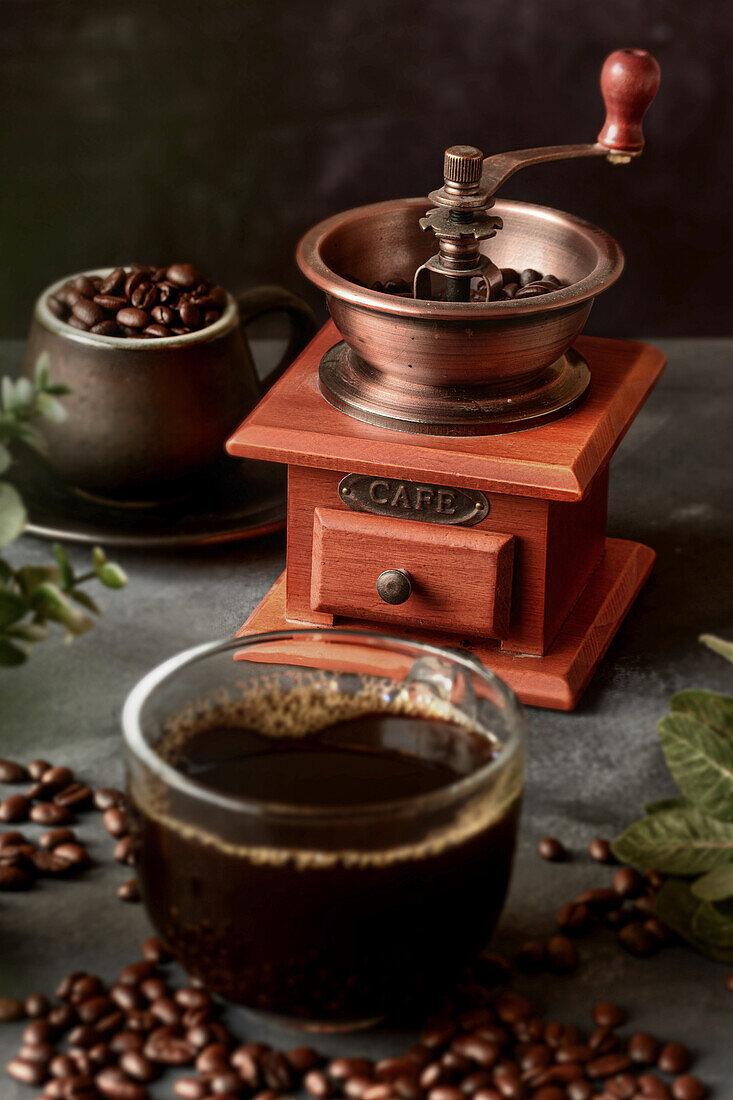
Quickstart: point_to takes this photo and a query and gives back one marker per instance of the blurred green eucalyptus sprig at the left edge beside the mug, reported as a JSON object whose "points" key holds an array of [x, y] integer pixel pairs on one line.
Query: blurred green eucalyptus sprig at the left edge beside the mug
{"points": [[31, 597]]}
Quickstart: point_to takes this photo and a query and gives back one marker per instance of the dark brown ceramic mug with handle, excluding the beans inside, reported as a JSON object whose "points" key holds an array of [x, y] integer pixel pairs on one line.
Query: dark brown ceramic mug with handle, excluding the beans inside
{"points": [[147, 417]]}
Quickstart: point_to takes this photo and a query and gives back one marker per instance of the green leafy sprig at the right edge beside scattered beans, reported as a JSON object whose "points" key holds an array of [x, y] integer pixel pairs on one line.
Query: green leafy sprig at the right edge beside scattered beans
{"points": [[691, 838]]}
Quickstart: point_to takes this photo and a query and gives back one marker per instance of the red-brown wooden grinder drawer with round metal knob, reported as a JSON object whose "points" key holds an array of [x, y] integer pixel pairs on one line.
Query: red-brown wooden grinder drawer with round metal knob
{"points": [[452, 579]]}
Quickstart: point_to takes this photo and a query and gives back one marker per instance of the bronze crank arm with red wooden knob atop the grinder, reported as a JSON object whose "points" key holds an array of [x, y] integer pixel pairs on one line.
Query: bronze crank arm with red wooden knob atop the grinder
{"points": [[630, 80]]}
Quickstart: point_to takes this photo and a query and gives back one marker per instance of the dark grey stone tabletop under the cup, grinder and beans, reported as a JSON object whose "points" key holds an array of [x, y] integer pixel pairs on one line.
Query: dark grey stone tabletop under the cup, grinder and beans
{"points": [[588, 773]]}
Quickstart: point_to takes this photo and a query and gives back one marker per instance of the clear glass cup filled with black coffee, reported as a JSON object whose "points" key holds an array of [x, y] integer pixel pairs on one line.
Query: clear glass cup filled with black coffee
{"points": [[325, 821]]}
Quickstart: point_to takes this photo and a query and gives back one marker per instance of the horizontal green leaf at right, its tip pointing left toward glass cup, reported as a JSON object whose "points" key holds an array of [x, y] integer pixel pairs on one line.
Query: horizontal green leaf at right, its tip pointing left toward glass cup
{"points": [[682, 842]]}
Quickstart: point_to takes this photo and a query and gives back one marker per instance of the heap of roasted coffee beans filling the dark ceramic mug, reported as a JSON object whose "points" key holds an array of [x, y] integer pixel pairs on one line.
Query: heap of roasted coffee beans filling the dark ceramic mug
{"points": [[140, 302]]}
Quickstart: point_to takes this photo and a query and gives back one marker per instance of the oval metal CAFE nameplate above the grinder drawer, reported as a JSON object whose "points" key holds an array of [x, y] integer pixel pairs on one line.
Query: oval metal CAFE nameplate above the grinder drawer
{"points": [[422, 501]]}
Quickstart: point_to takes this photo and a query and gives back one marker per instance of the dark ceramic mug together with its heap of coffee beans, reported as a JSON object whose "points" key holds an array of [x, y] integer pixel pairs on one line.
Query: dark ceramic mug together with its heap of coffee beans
{"points": [[160, 373]]}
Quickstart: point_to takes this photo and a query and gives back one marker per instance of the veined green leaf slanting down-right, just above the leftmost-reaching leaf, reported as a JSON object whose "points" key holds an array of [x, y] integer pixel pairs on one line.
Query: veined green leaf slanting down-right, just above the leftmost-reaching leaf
{"points": [[702, 762]]}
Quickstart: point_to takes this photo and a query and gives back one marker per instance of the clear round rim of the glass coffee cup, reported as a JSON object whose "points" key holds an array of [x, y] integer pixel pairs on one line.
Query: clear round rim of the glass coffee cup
{"points": [[463, 787]]}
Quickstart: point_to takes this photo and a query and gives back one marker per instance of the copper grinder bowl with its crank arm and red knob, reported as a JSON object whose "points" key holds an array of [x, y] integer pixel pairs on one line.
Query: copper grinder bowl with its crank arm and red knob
{"points": [[451, 357]]}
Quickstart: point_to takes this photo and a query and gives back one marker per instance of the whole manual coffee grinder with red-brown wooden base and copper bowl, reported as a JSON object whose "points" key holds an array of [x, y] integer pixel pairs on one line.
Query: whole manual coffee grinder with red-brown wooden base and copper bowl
{"points": [[448, 445]]}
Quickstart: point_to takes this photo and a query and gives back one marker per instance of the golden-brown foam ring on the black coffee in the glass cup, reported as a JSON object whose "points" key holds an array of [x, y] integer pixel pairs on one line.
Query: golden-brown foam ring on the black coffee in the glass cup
{"points": [[313, 703]]}
